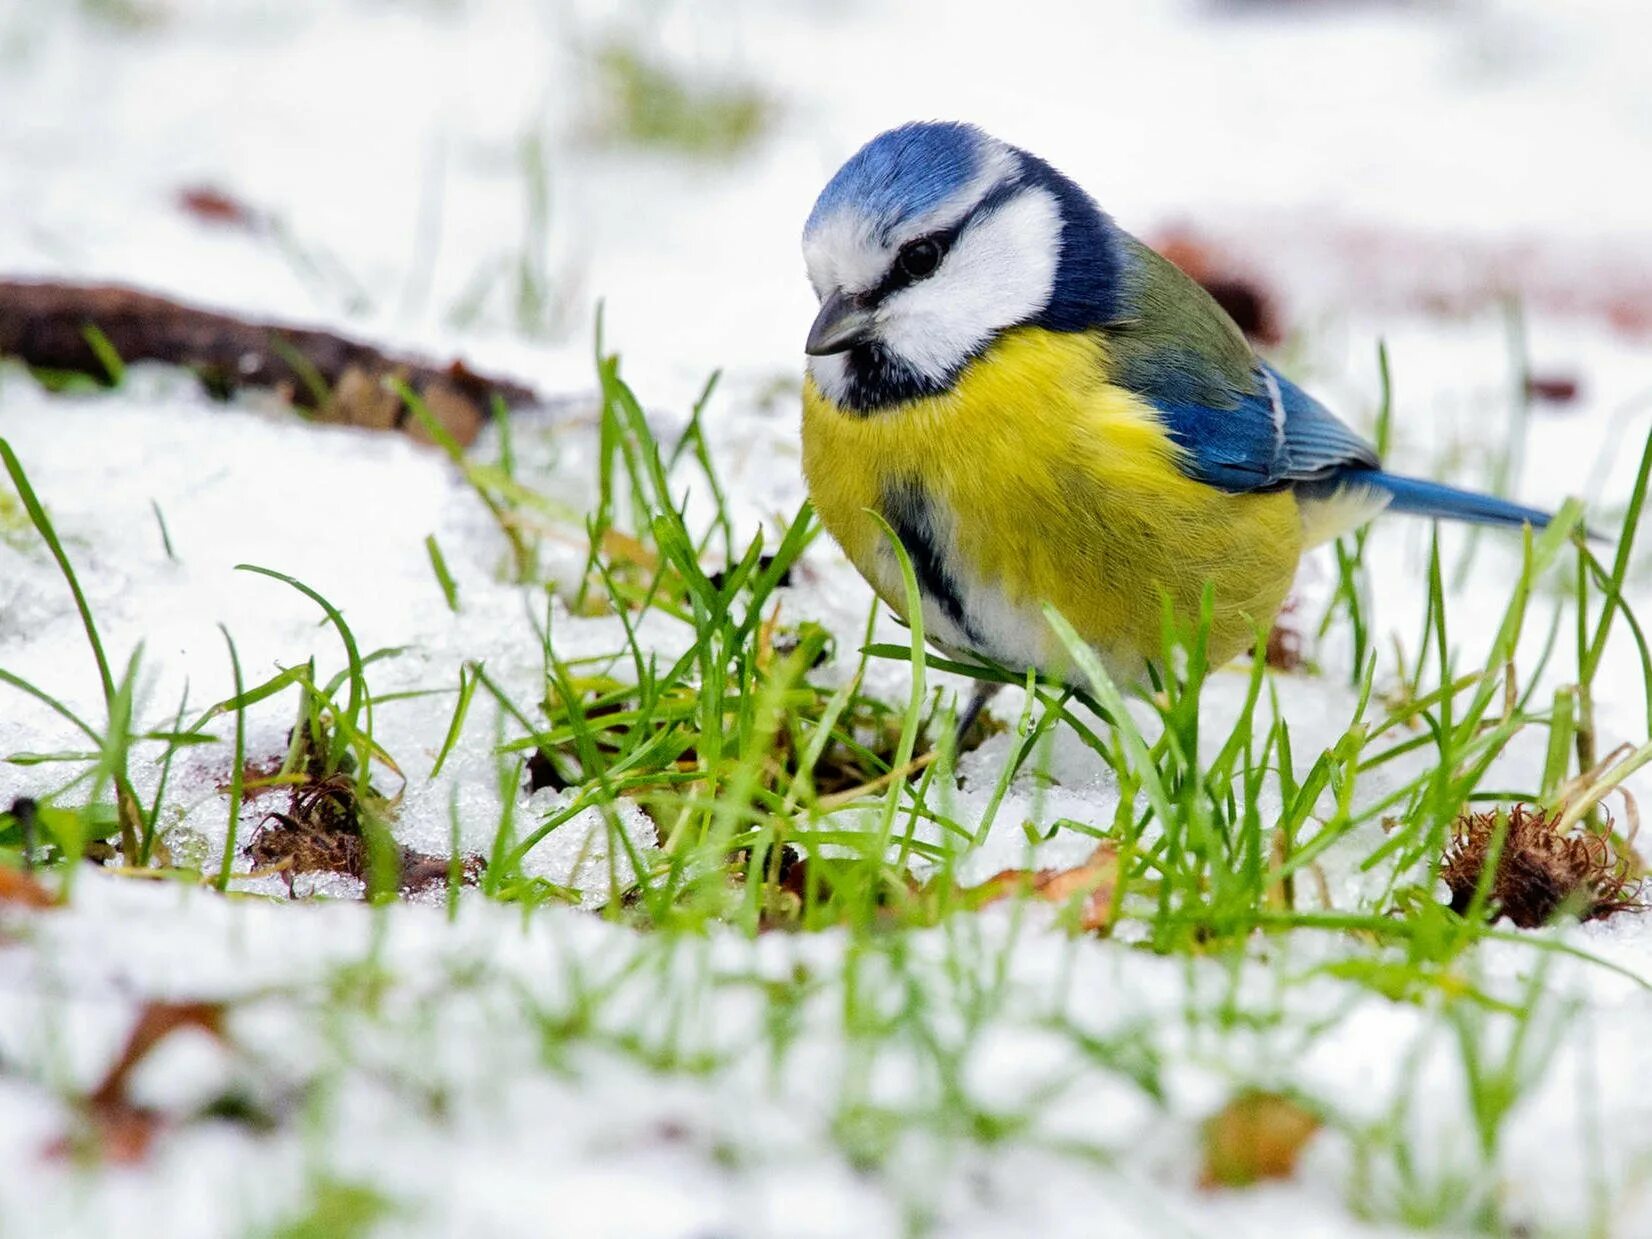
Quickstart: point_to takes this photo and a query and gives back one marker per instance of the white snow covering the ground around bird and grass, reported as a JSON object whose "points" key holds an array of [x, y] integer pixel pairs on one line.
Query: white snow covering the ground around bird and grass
{"points": [[505, 1075]]}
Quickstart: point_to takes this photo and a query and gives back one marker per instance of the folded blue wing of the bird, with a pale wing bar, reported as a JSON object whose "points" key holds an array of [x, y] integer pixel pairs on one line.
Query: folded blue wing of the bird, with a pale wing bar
{"points": [[1275, 435]]}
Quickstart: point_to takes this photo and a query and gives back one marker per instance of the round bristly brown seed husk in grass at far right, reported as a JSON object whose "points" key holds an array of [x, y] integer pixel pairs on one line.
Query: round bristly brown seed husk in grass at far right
{"points": [[1539, 871]]}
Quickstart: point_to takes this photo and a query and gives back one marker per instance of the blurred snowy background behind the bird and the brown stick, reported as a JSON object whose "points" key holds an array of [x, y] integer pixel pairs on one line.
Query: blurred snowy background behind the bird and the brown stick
{"points": [[478, 174]]}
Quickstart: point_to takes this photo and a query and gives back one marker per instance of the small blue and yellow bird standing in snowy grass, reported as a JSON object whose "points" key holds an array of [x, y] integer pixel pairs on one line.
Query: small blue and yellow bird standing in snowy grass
{"points": [[1045, 411]]}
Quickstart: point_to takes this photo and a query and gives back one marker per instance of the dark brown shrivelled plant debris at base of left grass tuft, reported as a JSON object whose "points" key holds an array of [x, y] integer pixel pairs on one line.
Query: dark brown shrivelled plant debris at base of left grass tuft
{"points": [[323, 832]]}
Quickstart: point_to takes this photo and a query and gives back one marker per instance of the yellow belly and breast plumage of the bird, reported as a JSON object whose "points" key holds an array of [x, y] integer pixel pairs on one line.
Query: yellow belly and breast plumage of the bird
{"points": [[1053, 487]]}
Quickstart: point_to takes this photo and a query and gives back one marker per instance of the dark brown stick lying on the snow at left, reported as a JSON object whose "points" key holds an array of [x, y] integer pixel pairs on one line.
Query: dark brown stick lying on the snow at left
{"points": [[45, 326]]}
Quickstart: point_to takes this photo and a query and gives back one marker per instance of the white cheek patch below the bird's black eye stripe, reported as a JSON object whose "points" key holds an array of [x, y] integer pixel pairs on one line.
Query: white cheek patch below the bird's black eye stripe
{"points": [[1002, 272]]}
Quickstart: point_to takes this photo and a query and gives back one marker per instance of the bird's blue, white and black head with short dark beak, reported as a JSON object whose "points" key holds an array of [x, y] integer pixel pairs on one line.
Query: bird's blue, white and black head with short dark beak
{"points": [[929, 244]]}
